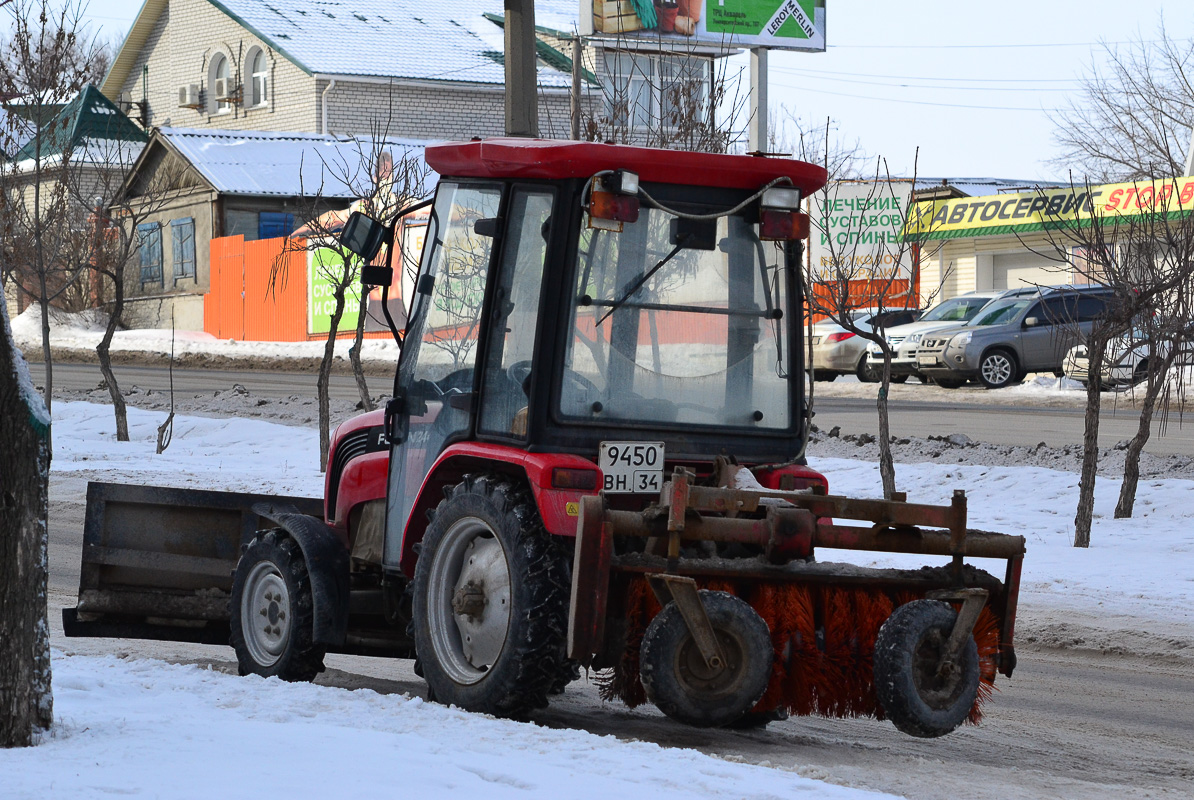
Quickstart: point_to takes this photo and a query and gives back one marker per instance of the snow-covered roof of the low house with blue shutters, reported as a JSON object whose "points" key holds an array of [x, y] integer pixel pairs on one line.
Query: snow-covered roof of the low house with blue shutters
{"points": [[291, 165]]}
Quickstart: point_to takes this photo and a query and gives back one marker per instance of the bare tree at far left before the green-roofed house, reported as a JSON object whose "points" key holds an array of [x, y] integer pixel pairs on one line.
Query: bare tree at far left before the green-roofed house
{"points": [[45, 61]]}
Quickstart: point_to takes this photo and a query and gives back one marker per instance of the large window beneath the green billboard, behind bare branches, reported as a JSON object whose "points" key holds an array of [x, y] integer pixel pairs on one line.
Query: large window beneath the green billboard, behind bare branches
{"points": [[655, 90]]}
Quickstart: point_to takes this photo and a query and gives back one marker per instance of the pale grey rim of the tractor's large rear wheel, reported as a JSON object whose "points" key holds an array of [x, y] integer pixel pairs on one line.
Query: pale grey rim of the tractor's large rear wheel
{"points": [[469, 601]]}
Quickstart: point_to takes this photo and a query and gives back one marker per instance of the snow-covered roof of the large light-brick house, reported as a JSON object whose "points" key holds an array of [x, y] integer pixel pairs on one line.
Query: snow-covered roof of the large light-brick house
{"points": [[389, 39]]}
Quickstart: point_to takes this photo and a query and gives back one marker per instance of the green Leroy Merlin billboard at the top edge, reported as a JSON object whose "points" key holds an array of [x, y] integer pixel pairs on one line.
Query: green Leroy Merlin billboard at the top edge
{"points": [[779, 24]]}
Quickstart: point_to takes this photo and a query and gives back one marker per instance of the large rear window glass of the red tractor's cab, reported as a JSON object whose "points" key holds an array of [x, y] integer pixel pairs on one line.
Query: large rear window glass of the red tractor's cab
{"points": [[679, 321]]}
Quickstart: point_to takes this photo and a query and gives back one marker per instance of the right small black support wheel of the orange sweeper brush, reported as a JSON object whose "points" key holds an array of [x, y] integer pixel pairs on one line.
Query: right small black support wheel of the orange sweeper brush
{"points": [[908, 654]]}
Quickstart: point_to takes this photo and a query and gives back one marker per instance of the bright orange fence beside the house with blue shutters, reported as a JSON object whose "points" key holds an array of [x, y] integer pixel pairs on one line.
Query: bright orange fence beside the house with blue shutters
{"points": [[242, 305]]}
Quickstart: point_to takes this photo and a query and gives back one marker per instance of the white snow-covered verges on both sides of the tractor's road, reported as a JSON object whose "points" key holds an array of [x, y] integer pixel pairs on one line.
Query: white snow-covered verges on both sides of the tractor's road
{"points": [[170, 731]]}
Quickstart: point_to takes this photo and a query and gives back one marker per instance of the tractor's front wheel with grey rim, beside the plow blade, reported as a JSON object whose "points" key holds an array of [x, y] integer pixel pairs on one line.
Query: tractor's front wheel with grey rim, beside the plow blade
{"points": [[272, 613]]}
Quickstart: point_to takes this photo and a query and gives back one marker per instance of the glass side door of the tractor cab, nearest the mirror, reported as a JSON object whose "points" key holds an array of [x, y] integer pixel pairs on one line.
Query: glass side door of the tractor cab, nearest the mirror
{"points": [[435, 391]]}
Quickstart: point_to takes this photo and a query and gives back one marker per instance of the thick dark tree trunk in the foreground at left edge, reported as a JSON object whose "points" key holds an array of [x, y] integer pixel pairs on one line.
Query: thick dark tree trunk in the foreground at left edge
{"points": [[27, 704]]}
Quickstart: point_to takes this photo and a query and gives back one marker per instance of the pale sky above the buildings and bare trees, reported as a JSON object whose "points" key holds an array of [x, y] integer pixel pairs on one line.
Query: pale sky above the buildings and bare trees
{"points": [[971, 84]]}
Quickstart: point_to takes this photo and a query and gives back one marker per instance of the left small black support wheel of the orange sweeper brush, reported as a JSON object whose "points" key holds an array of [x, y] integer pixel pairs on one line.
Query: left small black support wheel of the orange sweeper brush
{"points": [[676, 679]]}
